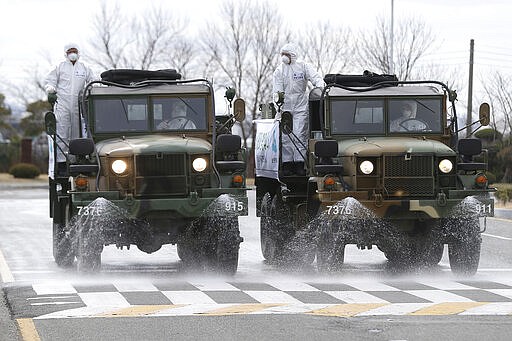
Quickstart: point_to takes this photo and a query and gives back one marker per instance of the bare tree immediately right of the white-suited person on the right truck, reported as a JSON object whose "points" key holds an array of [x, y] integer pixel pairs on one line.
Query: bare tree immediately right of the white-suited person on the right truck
{"points": [[327, 46]]}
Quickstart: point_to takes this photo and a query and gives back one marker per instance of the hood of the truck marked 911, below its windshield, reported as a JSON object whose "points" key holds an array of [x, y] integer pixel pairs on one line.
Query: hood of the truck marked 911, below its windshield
{"points": [[376, 146]]}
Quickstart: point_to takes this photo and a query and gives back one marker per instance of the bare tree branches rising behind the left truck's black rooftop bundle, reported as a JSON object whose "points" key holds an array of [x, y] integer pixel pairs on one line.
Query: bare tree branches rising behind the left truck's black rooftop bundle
{"points": [[154, 39]]}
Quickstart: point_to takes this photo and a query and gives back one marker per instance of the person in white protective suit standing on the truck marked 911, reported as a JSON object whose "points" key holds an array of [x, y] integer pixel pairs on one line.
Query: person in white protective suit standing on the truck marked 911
{"points": [[291, 77]]}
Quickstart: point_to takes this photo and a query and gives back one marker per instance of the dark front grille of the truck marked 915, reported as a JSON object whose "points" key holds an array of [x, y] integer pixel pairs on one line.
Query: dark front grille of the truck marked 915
{"points": [[161, 174]]}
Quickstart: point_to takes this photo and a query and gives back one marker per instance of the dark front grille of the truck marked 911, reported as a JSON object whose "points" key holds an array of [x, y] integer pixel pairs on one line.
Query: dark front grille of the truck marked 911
{"points": [[408, 177]]}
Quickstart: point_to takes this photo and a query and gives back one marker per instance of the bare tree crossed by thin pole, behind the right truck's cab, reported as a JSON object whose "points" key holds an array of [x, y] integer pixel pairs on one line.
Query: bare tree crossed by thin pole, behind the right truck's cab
{"points": [[411, 40]]}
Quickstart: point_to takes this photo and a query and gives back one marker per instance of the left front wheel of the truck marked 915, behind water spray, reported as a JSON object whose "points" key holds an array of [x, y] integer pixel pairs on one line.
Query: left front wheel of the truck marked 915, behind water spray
{"points": [[89, 248]]}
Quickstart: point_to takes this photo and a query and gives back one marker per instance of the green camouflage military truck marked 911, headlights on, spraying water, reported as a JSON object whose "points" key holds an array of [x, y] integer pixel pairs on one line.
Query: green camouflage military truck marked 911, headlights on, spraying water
{"points": [[407, 185]]}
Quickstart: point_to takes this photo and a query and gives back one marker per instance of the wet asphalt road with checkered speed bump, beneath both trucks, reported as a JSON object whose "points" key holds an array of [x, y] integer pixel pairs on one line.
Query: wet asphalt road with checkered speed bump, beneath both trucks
{"points": [[26, 246]]}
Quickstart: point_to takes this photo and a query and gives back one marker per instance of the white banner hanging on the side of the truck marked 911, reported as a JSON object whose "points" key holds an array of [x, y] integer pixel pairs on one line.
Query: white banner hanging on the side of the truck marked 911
{"points": [[267, 148]]}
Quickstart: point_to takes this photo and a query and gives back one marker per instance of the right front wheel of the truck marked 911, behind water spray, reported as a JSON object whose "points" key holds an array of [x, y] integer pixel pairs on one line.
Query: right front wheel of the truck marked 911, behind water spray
{"points": [[464, 250]]}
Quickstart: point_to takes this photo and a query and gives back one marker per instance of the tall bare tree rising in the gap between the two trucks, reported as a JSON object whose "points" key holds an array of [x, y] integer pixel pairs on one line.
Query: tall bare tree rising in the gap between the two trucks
{"points": [[241, 51]]}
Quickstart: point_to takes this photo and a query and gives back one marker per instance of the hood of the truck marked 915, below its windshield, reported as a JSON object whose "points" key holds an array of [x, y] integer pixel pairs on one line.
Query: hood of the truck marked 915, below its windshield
{"points": [[148, 144]]}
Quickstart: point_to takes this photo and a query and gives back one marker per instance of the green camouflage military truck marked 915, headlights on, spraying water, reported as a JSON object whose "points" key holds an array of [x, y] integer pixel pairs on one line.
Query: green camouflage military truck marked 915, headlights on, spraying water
{"points": [[144, 177]]}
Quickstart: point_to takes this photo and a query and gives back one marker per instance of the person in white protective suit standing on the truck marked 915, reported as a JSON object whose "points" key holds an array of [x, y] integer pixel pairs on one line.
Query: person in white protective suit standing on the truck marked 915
{"points": [[65, 81]]}
